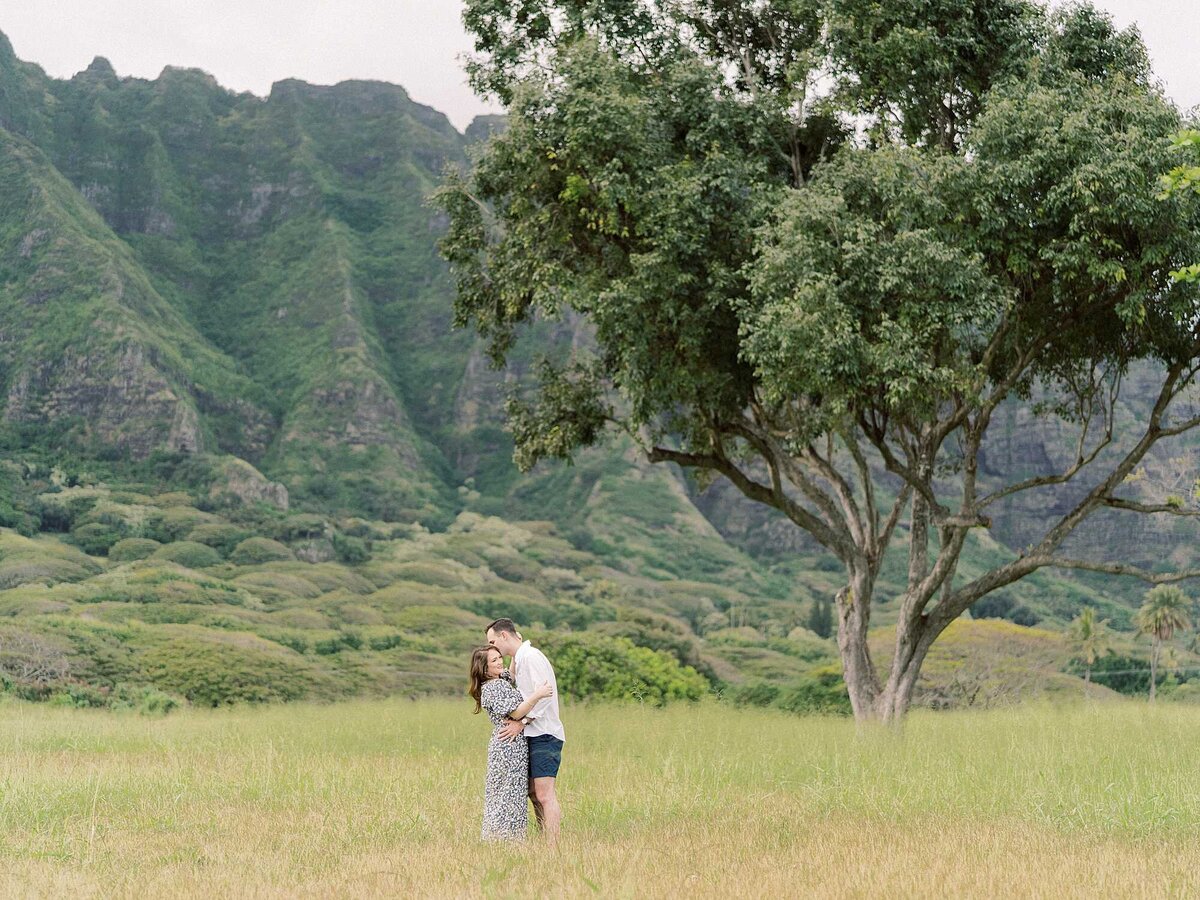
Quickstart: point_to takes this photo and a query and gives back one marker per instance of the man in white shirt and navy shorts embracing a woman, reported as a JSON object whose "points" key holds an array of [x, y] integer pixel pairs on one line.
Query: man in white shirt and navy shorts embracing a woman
{"points": [[542, 727]]}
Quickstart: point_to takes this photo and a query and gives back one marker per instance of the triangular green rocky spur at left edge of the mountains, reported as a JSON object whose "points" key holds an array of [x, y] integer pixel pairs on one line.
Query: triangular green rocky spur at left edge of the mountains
{"points": [[87, 339]]}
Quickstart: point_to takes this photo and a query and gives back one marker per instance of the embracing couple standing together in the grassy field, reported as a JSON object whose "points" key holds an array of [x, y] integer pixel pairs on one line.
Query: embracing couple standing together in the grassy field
{"points": [[527, 739]]}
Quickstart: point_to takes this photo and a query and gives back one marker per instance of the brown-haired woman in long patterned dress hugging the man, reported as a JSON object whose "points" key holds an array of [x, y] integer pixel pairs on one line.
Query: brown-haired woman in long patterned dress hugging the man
{"points": [[507, 789]]}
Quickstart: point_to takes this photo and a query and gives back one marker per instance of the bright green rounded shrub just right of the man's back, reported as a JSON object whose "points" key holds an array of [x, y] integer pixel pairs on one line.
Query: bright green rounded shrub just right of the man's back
{"points": [[617, 669]]}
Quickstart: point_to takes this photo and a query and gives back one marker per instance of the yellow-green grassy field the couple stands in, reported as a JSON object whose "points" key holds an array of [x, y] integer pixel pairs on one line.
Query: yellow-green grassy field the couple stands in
{"points": [[383, 800]]}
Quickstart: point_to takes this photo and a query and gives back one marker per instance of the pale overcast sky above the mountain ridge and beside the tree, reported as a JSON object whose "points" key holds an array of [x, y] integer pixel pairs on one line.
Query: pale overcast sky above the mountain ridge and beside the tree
{"points": [[248, 45]]}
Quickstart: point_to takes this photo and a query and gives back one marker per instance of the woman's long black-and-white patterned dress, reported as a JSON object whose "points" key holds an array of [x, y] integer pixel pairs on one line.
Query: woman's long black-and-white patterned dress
{"points": [[507, 789]]}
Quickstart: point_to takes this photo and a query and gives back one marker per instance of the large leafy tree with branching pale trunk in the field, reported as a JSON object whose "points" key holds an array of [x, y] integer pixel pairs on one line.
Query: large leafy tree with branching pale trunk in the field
{"points": [[820, 244]]}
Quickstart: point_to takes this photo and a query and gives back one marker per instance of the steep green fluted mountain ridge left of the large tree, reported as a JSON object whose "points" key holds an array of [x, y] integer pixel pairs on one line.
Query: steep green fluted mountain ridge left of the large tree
{"points": [[197, 271]]}
